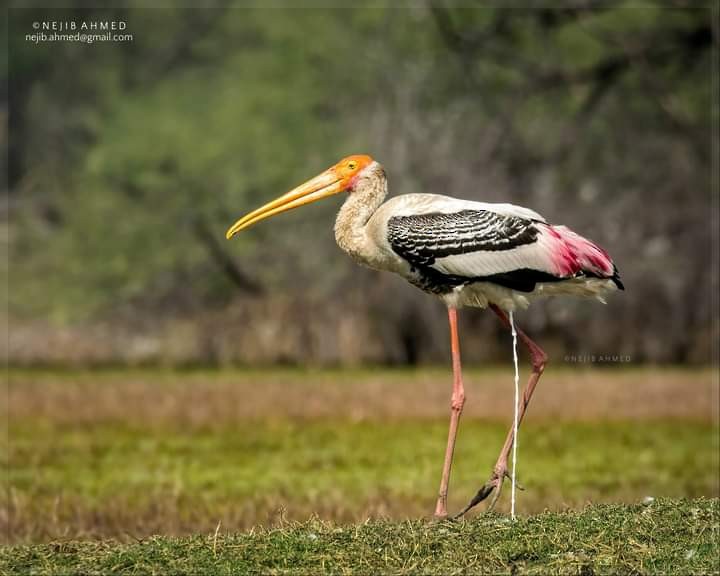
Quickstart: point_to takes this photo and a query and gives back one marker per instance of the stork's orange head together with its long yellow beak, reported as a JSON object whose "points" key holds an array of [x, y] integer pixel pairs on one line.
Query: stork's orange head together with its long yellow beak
{"points": [[338, 178]]}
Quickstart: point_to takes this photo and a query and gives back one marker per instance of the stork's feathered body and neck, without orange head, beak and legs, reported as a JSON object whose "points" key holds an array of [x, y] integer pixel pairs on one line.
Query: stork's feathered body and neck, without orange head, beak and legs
{"points": [[469, 253]]}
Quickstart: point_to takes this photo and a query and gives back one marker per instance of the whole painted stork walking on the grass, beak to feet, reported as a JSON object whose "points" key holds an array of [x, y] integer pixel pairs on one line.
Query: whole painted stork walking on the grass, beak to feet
{"points": [[497, 256]]}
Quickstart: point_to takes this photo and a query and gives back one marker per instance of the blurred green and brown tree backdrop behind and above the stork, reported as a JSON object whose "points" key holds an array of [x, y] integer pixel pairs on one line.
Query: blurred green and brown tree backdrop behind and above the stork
{"points": [[127, 161]]}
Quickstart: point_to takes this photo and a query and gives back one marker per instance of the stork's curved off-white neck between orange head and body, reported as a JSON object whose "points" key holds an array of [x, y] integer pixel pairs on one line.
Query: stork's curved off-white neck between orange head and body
{"points": [[351, 224]]}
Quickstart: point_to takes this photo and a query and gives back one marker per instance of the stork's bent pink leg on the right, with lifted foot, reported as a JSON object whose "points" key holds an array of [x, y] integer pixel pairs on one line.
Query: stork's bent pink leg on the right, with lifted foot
{"points": [[539, 360]]}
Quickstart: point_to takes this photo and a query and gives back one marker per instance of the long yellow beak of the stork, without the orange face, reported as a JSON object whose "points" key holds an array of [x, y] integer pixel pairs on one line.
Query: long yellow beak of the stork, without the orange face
{"points": [[323, 185]]}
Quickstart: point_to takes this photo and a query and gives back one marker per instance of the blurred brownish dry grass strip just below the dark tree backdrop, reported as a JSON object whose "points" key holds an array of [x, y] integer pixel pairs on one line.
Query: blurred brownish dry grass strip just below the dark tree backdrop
{"points": [[217, 398]]}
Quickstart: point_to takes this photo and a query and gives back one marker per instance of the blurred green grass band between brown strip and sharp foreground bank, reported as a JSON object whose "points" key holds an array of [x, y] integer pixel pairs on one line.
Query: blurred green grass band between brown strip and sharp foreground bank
{"points": [[114, 480]]}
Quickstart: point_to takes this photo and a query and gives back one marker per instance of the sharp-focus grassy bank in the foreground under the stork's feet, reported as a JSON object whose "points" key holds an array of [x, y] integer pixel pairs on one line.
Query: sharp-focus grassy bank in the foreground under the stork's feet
{"points": [[662, 537]]}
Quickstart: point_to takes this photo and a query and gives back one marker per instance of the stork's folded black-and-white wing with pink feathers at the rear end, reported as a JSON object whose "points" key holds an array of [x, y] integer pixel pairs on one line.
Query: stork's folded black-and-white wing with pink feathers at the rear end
{"points": [[484, 245]]}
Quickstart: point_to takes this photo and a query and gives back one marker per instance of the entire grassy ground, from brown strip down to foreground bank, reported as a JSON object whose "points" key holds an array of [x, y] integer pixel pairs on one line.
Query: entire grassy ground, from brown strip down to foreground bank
{"points": [[128, 454]]}
